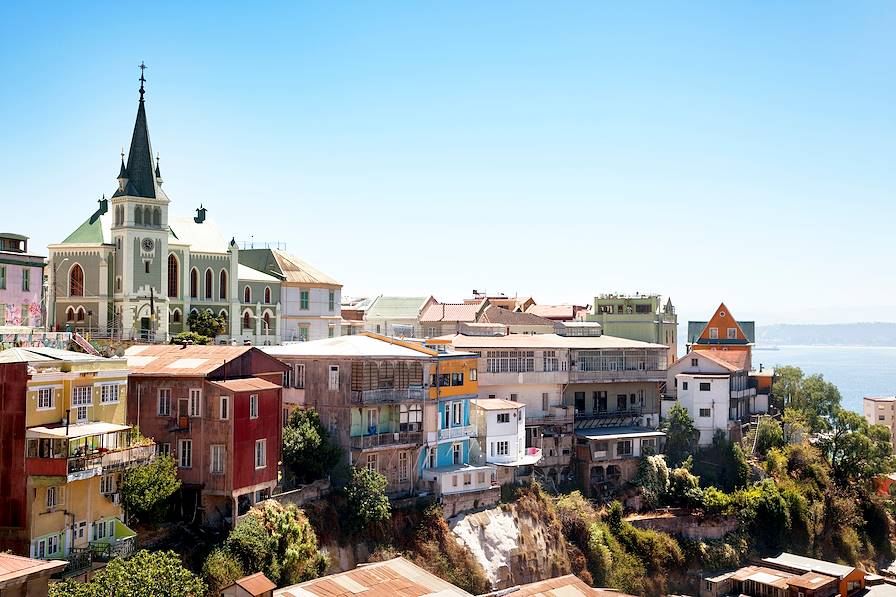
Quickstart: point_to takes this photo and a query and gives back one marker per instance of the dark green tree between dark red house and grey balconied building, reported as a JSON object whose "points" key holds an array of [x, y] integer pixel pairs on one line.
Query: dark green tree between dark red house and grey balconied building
{"points": [[308, 451]]}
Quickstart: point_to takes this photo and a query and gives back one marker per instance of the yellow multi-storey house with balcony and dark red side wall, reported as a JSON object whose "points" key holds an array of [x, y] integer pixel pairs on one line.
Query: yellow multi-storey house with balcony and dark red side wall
{"points": [[76, 444]]}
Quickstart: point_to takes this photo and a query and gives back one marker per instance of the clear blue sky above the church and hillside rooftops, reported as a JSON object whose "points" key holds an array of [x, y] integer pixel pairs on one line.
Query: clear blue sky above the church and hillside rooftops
{"points": [[743, 152]]}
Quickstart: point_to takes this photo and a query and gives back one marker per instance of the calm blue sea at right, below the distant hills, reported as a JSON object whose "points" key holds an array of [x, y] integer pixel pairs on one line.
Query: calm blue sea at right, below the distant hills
{"points": [[857, 371]]}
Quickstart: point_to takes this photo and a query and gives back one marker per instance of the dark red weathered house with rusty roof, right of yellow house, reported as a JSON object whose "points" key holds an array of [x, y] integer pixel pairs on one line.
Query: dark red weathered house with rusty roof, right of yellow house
{"points": [[218, 411]]}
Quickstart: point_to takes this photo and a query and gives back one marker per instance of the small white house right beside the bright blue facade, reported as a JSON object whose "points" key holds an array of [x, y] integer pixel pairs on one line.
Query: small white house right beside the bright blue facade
{"points": [[501, 426]]}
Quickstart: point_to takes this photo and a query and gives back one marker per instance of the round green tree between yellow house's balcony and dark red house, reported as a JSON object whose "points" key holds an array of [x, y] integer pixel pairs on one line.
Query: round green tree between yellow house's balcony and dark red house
{"points": [[145, 490]]}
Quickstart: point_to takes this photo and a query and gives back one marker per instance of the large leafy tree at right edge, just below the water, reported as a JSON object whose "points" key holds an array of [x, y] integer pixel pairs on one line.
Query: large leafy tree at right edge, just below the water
{"points": [[855, 449]]}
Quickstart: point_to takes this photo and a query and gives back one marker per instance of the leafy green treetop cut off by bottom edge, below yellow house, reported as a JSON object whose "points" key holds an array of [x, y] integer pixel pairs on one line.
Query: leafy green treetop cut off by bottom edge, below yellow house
{"points": [[146, 574]]}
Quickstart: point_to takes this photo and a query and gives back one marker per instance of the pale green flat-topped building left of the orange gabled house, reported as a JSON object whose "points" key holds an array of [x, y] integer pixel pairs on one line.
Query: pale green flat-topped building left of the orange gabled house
{"points": [[640, 317]]}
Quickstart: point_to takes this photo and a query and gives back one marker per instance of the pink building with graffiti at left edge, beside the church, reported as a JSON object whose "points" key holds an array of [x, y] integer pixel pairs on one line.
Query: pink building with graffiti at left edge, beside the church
{"points": [[21, 283]]}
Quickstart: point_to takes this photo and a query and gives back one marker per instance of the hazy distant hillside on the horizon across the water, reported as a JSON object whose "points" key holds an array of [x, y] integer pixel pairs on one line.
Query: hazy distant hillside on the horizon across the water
{"points": [[835, 334]]}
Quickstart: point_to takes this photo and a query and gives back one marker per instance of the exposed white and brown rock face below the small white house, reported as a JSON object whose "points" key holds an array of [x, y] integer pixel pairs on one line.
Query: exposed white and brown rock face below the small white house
{"points": [[515, 544]]}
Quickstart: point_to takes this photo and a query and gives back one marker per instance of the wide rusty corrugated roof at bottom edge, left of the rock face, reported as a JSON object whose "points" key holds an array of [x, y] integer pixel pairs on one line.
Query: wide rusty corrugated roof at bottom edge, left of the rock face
{"points": [[392, 578]]}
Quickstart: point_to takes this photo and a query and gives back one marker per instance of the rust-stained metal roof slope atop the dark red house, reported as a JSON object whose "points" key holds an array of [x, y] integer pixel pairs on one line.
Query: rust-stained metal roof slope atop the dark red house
{"points": [[181, 361]]}
